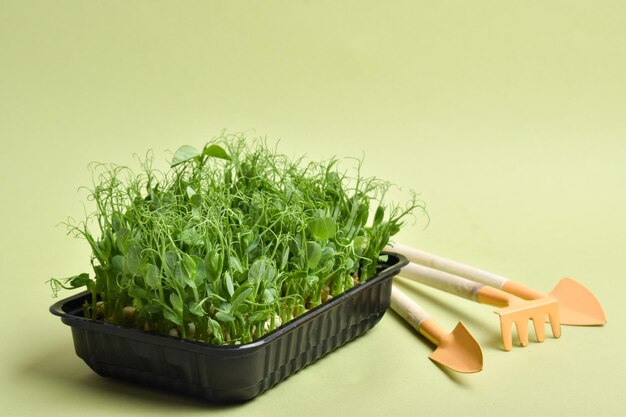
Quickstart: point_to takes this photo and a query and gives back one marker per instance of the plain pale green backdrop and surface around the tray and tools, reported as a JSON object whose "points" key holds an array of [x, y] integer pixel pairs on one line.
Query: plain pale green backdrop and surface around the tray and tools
{"points": [[507, 117]]}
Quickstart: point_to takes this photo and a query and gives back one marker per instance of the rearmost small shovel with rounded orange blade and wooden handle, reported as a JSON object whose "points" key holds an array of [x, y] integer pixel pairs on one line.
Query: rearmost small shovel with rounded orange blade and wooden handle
{"points": [[578, 306]]}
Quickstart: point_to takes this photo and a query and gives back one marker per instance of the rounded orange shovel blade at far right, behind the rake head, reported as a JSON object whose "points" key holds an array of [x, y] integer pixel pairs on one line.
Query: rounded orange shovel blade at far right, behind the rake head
{"points": [[578, 305]]}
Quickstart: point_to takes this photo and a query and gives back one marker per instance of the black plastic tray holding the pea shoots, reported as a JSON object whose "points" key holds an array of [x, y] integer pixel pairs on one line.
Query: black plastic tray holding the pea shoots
{"points": [[228, 373]]}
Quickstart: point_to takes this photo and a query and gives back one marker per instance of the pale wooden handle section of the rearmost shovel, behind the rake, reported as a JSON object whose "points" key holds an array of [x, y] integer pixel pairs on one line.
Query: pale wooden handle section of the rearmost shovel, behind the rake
{"points": [[447, 265]]}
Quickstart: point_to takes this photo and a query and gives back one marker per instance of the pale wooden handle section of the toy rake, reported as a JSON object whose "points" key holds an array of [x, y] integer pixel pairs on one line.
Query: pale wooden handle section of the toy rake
{"points": [[442, 280]]}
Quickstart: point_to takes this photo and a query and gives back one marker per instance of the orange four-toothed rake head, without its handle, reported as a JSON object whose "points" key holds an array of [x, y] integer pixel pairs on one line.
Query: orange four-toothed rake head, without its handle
{"points": [[520, 312]]}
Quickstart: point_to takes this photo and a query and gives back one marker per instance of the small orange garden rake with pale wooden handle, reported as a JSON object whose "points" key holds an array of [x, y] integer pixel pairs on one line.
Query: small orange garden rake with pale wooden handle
{"points": [[513, 310]]}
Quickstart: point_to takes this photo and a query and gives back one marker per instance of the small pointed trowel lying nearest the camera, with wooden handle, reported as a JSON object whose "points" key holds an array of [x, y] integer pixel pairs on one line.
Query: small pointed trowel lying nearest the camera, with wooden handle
{"points": [[458, 351]]}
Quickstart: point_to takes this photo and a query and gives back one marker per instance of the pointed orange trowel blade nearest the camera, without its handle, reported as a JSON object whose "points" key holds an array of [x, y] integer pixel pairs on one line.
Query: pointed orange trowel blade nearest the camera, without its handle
{"points": [[459, 351]]}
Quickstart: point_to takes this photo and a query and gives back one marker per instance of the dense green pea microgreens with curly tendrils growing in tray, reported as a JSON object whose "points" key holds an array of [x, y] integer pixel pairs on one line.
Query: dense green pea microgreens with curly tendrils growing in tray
{"points": [[230, 242]]}
